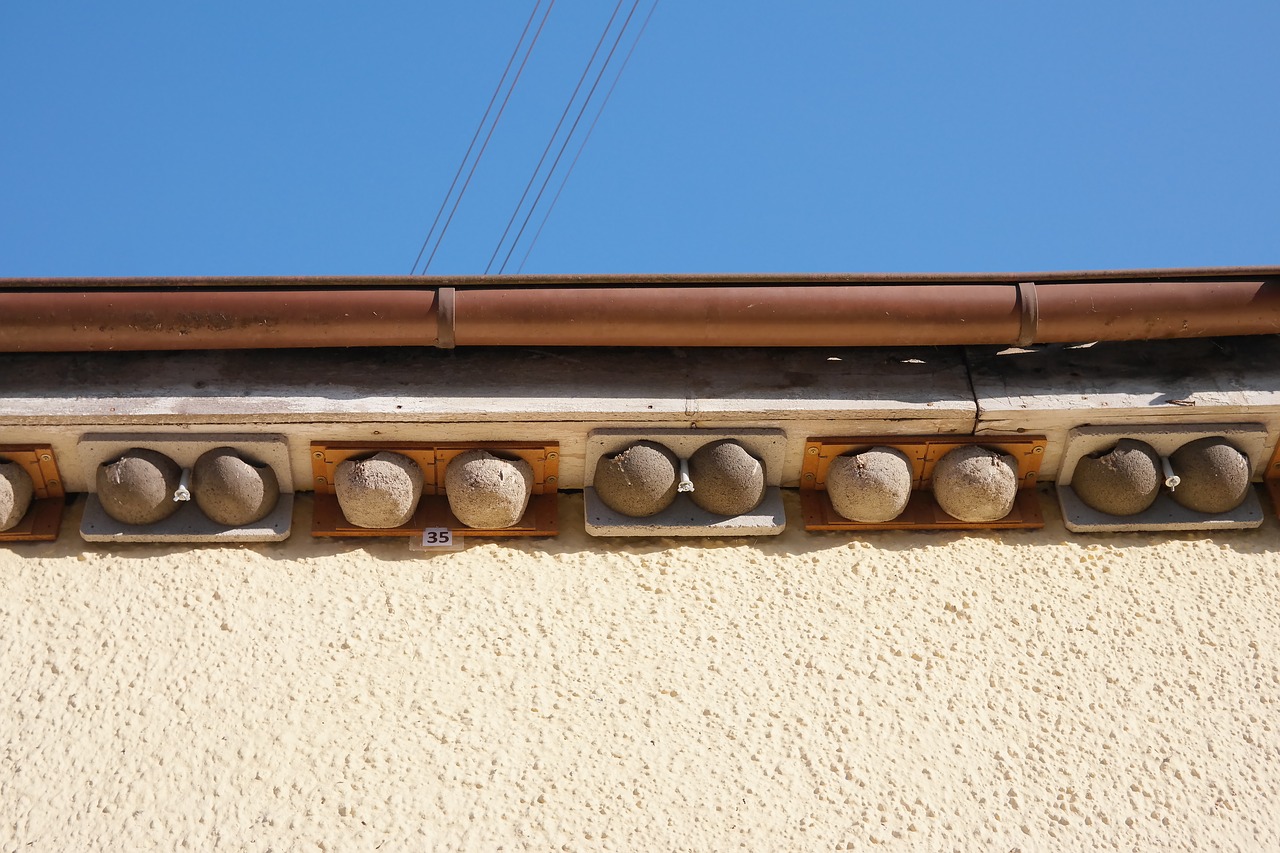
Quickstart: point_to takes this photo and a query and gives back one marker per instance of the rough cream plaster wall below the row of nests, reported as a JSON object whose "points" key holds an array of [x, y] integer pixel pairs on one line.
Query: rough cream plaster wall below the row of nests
{"points": [[949, 691]]}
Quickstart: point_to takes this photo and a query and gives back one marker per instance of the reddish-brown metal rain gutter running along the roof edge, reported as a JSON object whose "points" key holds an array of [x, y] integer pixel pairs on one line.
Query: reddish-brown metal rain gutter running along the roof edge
{"points": [[98, 314]]}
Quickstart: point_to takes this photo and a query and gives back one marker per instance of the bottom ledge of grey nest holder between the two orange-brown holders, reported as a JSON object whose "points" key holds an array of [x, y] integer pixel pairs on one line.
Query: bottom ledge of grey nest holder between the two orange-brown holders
{"points": [[687, 519]]}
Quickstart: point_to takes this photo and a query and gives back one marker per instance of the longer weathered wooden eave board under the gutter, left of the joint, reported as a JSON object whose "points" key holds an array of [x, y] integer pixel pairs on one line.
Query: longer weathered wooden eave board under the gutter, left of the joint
{"points": [[478, 385]]}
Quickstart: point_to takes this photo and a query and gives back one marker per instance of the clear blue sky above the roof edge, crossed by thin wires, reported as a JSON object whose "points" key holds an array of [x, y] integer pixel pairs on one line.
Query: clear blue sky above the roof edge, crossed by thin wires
{"points": [[235, 138]]}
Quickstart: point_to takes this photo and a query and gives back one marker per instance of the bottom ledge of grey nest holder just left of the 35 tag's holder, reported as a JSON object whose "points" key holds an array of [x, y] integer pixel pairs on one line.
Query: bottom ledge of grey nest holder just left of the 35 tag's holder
{"points": [[189, 524]]}
